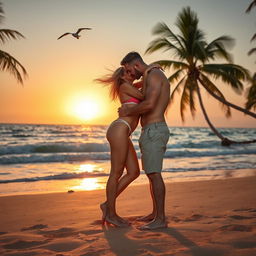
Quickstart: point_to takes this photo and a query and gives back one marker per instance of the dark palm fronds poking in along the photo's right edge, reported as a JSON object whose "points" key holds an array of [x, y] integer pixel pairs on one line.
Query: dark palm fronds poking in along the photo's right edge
{"points": [[251, 95]]}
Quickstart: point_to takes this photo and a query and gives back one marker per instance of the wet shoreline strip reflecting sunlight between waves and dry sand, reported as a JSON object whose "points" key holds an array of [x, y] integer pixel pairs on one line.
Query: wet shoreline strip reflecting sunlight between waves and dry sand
{"points": [[98, 183]]}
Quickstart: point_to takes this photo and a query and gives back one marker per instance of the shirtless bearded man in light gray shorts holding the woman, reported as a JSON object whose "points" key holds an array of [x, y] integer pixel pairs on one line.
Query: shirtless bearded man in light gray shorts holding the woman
{"points": [[155, 133]]}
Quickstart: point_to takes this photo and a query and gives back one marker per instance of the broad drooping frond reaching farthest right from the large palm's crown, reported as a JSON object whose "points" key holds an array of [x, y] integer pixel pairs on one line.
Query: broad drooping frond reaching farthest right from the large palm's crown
{"points": [[229, 73]]}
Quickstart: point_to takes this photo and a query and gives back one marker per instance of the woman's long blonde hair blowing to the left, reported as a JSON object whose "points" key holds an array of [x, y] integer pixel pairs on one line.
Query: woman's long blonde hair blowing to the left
{"points": [[113, 80]]}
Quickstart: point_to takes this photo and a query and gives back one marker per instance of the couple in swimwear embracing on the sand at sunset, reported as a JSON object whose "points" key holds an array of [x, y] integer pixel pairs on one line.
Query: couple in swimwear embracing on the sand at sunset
{"points": [[146, 102]]}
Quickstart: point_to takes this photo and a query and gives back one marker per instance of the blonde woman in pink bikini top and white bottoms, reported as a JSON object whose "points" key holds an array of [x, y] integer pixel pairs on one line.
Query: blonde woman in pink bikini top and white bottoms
{"points": [[123, 154]]}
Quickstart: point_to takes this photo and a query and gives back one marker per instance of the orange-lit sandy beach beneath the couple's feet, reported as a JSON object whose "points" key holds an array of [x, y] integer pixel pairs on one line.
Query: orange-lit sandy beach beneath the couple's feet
{"points": [[211, 217]]}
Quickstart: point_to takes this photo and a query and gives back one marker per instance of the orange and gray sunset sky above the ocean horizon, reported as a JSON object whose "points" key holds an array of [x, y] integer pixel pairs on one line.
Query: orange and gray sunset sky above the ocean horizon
{"points": [[62, 72]]}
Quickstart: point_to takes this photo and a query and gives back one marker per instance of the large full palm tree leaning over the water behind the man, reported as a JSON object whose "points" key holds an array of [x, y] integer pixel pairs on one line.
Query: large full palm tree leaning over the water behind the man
{"points": [[193, 70]]}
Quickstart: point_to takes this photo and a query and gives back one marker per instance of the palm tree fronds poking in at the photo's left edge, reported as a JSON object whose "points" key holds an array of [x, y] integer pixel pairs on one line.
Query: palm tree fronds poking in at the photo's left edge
{"points": [[8, 62]]}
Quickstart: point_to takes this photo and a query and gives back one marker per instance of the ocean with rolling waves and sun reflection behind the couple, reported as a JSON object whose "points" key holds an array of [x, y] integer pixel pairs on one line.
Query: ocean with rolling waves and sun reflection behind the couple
{"points": [[54, 158]]}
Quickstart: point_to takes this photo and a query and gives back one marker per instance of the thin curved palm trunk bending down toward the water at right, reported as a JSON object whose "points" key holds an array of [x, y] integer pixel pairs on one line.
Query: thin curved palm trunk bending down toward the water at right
{"points": [[224, 141]]}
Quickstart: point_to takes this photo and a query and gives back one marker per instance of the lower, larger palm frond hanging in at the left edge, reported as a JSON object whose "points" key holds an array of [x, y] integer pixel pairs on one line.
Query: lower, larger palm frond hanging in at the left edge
{"points": [[10, 64]]}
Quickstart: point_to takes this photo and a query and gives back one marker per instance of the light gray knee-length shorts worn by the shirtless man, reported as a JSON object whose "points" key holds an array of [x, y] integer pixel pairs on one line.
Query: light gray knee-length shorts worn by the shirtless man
{"points": [[153, 140]]}
